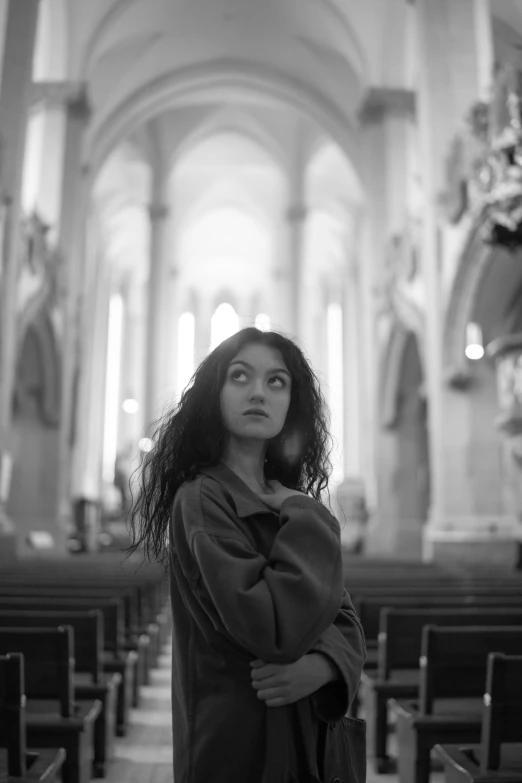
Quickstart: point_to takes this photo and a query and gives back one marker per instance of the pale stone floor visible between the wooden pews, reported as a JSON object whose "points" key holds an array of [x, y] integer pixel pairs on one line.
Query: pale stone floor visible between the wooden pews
{"points": [[145, 754]]}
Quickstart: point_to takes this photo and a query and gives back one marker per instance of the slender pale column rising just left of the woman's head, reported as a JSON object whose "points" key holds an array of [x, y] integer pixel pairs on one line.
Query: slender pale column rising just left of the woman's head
{"points": [[157, 342]]}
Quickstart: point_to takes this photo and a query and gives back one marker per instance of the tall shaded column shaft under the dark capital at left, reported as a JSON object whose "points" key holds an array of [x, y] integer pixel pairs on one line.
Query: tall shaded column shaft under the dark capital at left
{"points": [[71, 233]]}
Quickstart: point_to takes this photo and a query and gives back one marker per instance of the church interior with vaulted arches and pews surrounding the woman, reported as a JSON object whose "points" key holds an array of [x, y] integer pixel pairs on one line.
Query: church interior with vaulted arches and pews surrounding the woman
{"points": [[345, 172]]}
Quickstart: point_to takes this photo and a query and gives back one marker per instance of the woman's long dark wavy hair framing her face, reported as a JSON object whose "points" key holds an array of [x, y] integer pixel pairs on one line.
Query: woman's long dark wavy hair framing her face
{"points": [[193, 435]]}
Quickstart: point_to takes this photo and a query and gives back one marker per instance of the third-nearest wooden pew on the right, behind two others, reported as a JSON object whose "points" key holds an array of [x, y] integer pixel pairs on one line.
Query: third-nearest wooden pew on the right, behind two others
{"points": [[397, 675]]}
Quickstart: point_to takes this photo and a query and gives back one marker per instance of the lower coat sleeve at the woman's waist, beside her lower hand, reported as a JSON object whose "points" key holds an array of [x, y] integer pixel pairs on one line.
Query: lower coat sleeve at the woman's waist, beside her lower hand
{"points": [[344, 644]]}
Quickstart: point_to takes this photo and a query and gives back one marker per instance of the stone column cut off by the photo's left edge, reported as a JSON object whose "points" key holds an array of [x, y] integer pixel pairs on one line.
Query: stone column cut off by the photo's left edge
{"points": [[18, 21]]}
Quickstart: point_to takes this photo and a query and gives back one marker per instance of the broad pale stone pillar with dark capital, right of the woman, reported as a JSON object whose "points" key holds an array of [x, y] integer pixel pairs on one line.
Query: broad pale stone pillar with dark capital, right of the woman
{"points": [[387, 127]]}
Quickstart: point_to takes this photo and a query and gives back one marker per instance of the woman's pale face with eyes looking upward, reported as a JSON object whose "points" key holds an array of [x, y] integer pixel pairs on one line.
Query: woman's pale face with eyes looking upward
{"points": [[257, 379]]}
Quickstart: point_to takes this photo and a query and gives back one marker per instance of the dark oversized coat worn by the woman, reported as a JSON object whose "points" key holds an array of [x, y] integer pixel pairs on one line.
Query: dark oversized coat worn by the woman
{"points": [[247, 582]]}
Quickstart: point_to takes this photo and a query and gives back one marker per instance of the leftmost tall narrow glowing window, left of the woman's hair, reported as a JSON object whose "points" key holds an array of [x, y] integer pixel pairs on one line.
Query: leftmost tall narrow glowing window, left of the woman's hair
{"points": [[112, 387]]}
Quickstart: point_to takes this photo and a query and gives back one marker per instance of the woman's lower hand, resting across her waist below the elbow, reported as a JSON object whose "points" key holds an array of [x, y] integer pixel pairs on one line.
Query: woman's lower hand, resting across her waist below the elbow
{"points": [[285, 683]]}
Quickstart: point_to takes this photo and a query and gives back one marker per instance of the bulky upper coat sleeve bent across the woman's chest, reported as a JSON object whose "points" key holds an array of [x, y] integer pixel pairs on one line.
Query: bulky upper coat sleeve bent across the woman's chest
{"points": [[274, 607]]}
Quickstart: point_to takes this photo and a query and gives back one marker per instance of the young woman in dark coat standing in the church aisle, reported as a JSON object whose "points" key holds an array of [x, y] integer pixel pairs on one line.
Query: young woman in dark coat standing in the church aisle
{"points": [[261, 621]]}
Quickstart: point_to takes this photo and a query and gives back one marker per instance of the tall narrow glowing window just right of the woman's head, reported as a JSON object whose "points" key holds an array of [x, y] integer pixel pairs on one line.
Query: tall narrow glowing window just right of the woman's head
{"points": [[335, 385]]}
